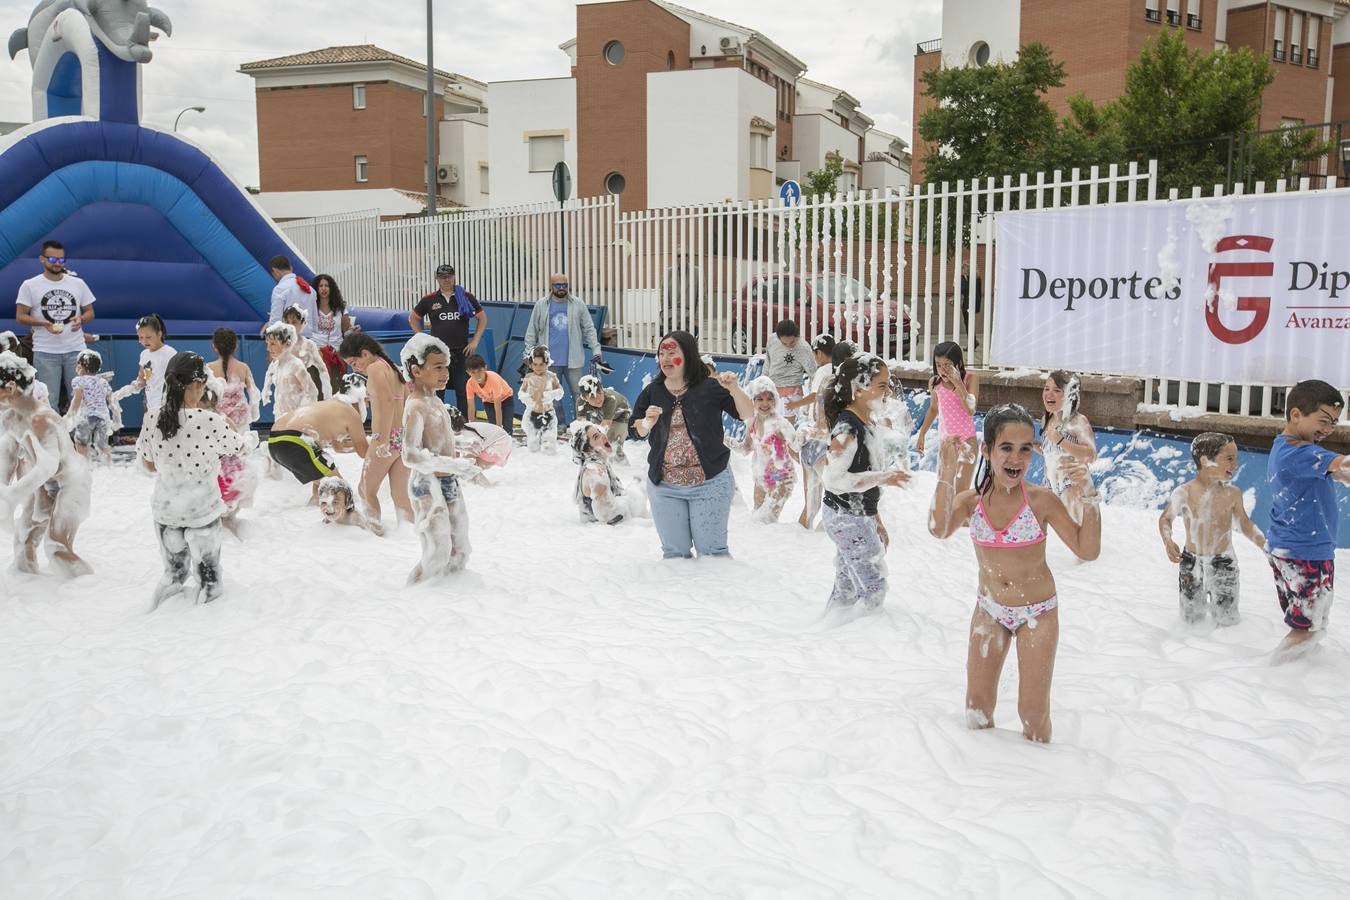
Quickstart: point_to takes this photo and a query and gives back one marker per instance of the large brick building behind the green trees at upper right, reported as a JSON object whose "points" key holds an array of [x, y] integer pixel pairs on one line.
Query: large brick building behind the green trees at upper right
{"points": [[1305, 40]]}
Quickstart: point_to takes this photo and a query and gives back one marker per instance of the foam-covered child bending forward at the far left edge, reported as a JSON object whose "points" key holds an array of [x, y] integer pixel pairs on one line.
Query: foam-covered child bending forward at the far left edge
{"points": [[51, 480]]}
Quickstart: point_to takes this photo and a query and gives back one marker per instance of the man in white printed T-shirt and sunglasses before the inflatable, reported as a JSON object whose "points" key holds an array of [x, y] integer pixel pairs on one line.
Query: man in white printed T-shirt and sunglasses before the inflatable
{"points": [[56, 306]]}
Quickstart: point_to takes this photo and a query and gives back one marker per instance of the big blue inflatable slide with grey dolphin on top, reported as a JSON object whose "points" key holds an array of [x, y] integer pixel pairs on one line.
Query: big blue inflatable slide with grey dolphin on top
{"points": [[149, 221]]}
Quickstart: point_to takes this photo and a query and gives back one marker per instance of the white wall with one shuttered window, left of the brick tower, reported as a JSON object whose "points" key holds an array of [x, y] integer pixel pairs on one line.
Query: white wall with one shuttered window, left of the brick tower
{"points": [[520, 107]]}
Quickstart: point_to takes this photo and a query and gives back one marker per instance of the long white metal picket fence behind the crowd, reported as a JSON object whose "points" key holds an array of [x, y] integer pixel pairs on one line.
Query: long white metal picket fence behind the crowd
{"points": [[881, 269]]}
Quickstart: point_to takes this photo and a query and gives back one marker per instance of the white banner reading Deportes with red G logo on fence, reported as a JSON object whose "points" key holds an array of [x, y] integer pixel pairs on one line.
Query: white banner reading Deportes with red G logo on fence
{"points": [[1233, 289]]}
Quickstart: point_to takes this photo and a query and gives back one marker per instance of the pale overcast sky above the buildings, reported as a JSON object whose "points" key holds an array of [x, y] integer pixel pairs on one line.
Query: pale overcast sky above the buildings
{"points": [[865, 47]]}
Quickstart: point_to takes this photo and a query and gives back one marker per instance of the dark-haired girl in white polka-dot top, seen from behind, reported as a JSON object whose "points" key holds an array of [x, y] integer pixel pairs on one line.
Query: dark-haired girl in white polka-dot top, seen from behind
{"points": [[184, 447]]}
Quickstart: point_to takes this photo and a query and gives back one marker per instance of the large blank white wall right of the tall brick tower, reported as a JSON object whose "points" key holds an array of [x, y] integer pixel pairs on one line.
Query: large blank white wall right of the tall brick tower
{"points": [[699, 134]]}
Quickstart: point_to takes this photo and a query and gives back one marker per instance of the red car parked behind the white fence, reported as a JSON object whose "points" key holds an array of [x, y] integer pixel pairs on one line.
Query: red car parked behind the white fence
{"points": [[836, 304]]}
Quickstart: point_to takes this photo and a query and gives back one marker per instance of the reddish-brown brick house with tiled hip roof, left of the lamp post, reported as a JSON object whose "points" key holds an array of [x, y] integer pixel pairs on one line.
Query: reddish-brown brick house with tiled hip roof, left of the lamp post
{"points": [[354, 118]]}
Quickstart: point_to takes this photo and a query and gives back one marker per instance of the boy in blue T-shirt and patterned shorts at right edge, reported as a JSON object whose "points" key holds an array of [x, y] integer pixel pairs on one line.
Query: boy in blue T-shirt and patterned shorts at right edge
{"points": [[1302, 542]]}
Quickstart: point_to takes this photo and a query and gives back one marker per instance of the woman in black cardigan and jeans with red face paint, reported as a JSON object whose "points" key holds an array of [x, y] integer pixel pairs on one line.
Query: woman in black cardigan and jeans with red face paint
{"points": [[688, 481]]}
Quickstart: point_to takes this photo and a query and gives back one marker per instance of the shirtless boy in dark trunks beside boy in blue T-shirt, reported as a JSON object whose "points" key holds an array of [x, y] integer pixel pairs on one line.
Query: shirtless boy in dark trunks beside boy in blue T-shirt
{"points": [[1210, 507]]}
